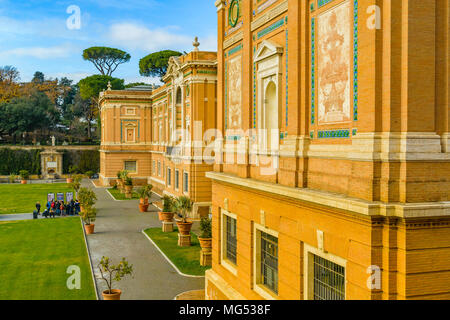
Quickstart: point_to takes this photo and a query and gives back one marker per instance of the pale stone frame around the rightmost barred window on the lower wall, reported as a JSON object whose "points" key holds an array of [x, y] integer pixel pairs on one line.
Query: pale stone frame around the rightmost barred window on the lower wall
{"points": [[308, 265]]}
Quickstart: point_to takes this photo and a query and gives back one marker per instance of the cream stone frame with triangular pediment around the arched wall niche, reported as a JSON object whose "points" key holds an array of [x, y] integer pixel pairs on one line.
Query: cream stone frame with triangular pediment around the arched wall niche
{"points": [[269, 63]]}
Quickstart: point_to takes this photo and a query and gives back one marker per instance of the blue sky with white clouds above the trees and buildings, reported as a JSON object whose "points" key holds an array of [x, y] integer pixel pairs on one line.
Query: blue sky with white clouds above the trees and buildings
{"points": [[34, 35]]}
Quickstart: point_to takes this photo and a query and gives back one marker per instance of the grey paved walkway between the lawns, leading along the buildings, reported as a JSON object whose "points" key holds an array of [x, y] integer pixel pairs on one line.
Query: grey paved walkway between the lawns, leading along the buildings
{"points": [[118, 234]]}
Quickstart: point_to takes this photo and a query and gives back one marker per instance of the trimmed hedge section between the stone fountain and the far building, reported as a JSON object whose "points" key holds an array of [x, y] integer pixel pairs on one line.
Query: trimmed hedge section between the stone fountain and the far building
{"points": [[85, 160]]}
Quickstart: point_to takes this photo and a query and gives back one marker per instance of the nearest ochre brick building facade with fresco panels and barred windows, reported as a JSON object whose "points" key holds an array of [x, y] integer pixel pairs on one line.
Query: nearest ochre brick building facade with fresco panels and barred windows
{"points": [[333, 177]]}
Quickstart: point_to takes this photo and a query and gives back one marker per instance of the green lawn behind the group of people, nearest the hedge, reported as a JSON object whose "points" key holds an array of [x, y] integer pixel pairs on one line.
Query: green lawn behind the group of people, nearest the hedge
{"points": [[22, 198]]}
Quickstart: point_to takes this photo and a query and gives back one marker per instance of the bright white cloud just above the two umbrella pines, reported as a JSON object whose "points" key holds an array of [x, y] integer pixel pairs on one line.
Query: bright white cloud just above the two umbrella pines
{"points": [[134, 36]]}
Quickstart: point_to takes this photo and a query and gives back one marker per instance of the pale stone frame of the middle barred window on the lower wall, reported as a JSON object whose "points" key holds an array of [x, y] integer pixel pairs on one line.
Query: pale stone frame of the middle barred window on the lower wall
{"points": [[257, 286]]}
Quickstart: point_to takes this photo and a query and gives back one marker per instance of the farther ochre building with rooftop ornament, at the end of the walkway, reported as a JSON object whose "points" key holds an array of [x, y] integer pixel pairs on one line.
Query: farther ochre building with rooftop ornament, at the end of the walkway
{"points": [[148, 131]]}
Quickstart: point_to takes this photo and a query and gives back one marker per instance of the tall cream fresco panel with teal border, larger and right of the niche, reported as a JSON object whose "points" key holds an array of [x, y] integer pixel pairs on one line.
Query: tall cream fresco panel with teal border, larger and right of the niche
{"points": [[334, 49]]}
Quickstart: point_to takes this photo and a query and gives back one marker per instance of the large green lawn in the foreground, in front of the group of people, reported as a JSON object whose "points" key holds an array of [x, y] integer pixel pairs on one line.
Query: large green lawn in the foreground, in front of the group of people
{"points": [[35, 255]]}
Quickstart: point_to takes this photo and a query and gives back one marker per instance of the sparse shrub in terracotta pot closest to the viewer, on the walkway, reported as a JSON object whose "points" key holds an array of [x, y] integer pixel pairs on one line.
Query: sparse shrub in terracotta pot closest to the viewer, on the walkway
{"points": [[113, 273]]}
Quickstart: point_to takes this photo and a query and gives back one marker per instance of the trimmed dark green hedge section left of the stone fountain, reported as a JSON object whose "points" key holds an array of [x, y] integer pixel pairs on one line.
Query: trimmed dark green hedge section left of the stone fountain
{"points": [[12, 161]]}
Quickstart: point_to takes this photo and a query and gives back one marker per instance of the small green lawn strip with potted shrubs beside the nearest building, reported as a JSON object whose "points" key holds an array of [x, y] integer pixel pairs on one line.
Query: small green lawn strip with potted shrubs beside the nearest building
{"points": [[187, 260]]}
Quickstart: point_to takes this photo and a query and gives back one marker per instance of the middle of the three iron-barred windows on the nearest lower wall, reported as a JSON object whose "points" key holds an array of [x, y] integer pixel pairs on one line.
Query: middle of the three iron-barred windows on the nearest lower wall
{"points": [[269, 261]]}
